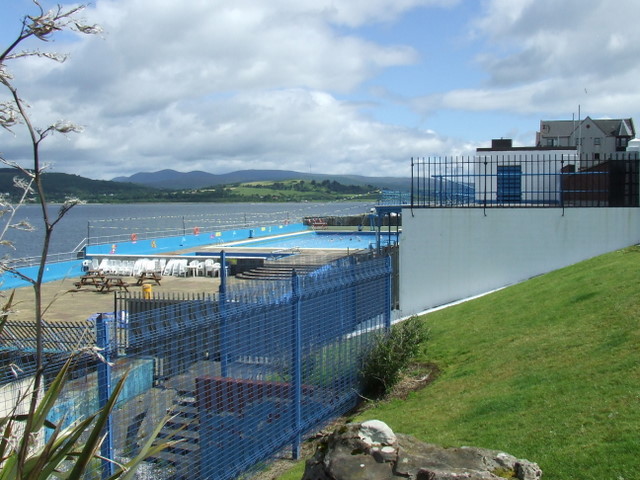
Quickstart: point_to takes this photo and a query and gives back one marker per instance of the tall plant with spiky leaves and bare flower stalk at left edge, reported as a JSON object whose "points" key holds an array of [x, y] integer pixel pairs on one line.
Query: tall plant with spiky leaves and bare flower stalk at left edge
{"points": [[69, 451]]}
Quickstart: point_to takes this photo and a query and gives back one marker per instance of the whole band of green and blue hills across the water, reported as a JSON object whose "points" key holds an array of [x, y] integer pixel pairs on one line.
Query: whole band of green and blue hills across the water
{"points": [[172, 186]]}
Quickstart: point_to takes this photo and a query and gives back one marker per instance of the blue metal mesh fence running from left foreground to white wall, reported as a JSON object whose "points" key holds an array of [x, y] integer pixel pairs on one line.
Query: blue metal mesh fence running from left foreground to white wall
{"points": [[244, 373]]}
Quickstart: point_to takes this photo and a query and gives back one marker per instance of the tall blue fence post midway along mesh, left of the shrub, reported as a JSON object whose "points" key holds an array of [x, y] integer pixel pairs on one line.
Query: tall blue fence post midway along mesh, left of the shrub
{"points": [[297, 363]]}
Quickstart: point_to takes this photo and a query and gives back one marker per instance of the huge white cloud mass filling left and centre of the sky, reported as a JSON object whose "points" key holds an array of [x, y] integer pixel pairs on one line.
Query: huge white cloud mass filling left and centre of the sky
{"points": [[218, 86]]}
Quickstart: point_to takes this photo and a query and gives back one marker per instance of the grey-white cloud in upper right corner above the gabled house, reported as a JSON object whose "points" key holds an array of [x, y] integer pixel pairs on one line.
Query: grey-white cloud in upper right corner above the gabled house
{"points": [[548, 57]]}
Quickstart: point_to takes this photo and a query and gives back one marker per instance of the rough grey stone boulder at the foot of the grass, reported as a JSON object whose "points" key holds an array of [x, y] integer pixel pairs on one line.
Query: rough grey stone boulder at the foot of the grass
{"points": [[371, 451]]}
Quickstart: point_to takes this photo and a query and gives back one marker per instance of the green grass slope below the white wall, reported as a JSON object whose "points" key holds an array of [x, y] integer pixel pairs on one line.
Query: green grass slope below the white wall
{"points": [[547, 370]]}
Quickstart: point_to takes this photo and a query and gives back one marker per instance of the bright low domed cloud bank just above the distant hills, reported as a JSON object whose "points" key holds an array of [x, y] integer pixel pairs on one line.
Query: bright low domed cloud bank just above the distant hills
{"points": [[292, 129]]}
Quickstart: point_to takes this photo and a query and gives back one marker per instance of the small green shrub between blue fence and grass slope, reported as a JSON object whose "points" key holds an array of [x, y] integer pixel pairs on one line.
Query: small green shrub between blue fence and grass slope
{"points": [[392, 352]]}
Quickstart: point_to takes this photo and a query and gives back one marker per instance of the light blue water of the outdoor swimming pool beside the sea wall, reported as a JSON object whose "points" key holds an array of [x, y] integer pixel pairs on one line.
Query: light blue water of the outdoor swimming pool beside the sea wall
{"points": [[321, 240]]}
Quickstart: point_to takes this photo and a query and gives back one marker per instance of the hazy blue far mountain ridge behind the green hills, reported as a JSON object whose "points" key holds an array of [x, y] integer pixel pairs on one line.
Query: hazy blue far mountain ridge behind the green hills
{"points": [[172, 180]]}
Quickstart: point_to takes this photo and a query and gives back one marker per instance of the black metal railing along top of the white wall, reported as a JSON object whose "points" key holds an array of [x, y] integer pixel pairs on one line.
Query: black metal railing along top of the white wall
{"points": [[515, 180]]}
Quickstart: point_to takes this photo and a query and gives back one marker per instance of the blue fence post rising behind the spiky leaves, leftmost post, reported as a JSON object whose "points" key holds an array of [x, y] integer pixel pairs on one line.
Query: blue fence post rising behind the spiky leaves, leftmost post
{"points": [[104, 391]]}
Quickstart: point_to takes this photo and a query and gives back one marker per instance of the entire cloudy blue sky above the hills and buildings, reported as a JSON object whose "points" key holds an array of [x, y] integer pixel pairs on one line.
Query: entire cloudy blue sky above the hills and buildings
{"points": [[323, 86]]}
